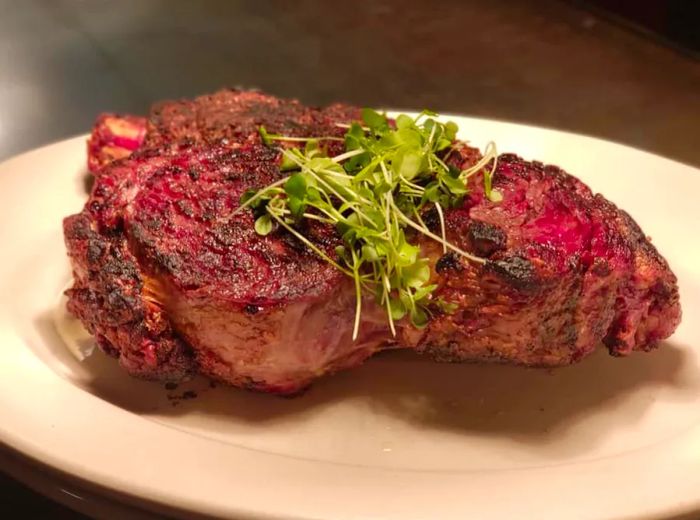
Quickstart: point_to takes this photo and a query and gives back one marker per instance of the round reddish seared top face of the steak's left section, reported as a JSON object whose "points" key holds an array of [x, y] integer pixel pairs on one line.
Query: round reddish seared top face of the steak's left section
{"points": [[181, 229]]}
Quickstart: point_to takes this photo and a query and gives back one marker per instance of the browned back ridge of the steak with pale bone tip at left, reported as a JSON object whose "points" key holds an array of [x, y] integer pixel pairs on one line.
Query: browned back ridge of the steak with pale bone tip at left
{"points": [[227, 118]]}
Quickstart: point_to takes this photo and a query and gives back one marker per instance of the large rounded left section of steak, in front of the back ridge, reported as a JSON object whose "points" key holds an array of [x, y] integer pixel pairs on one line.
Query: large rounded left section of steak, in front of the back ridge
{"points": [[156, 250]]}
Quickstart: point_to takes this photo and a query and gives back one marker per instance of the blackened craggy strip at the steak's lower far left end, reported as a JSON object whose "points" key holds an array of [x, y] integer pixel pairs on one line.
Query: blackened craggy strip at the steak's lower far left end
{"points": [[108, 297]]}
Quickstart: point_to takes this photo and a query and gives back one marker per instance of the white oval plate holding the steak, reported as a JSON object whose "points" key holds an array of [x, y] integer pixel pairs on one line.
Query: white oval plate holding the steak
{"points": [[400, 437]]}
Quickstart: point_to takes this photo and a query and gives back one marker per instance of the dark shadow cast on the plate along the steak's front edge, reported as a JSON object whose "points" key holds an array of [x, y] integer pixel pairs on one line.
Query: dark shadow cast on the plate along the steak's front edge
{"points": [[488, 399]]}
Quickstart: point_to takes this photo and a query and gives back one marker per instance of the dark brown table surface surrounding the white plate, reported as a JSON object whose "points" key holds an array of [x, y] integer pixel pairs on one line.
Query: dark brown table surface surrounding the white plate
{"points": [[546, 63]]}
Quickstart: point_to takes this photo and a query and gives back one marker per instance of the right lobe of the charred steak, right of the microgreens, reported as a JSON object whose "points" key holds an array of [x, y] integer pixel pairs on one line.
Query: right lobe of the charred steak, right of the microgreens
{"points": [[574, 270]]}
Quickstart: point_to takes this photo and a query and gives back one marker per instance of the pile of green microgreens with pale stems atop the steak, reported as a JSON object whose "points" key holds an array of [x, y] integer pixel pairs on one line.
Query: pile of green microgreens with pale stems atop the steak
{"points": [[372, 193]]}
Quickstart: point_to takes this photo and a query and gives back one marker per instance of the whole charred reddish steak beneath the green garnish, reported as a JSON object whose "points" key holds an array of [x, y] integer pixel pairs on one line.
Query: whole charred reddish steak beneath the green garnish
{"points": [[172, 281]]}
